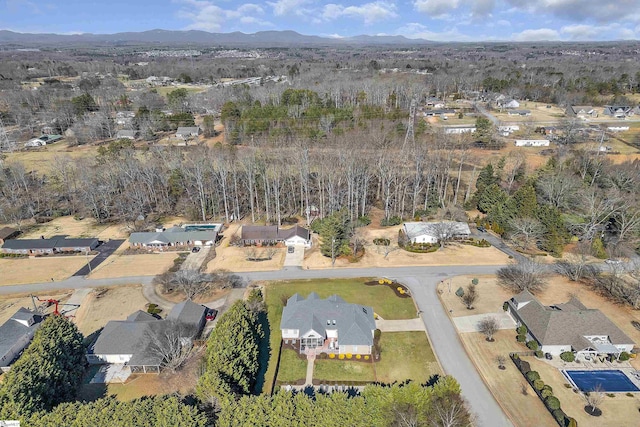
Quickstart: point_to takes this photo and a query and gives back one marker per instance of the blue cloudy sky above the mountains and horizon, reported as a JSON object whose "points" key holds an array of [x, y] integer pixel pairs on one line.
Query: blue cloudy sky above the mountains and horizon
{"points": [[439, 20]]}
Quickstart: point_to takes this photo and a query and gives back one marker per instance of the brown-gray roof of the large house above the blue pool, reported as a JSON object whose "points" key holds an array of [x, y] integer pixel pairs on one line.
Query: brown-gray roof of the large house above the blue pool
{"points": [[566, 323]]}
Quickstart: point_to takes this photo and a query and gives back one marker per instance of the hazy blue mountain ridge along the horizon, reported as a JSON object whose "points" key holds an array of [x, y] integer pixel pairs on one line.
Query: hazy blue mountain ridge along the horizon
{"points": [[261, 38]]}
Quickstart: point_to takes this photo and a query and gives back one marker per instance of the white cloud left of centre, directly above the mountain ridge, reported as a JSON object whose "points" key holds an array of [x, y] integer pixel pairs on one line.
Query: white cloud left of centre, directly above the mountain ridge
{"points": [[204, 15]]}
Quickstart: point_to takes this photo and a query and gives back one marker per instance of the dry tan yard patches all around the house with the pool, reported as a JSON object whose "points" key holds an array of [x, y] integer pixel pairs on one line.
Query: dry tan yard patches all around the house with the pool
{"points": [[506, 385]]}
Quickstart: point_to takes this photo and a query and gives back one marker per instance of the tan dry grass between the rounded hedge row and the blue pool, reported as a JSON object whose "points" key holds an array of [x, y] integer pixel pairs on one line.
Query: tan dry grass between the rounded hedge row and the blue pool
{"points": [[618, 410]]}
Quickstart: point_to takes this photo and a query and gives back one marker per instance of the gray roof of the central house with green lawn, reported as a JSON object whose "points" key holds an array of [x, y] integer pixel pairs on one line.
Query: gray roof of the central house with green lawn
{"points": [[354, 322]]}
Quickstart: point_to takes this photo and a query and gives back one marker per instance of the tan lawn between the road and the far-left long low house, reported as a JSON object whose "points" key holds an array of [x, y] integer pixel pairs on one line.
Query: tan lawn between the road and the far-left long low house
{"points": [[15, 271]]}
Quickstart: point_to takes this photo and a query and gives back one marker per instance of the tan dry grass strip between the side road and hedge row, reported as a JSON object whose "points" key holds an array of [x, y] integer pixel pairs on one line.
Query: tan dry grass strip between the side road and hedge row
{"points": [[506, 386]]}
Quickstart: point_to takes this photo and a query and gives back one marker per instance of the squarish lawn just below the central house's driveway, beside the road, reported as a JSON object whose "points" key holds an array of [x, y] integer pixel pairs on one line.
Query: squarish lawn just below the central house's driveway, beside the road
{"points": [[405, 355]]}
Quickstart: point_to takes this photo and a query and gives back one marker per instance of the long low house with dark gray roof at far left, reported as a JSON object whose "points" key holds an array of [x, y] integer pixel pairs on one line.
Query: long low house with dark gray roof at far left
{"points": [[52, 245]]}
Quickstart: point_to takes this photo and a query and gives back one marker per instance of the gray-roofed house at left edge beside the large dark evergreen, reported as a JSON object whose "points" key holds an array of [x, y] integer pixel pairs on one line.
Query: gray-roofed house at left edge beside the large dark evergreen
{"points": [[16, 334]]}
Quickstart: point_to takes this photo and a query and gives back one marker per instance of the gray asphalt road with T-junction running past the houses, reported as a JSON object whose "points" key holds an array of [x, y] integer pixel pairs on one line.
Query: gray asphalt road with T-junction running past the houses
{"points": [[421, 280]]}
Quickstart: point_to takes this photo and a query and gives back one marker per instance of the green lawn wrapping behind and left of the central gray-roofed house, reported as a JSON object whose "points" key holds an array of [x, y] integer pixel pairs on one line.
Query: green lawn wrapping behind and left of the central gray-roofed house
{"points": [[381, 298]]}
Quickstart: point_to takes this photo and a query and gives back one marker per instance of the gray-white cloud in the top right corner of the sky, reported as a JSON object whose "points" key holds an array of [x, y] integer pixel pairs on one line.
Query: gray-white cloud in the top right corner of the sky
{"points": [[580, 10]]}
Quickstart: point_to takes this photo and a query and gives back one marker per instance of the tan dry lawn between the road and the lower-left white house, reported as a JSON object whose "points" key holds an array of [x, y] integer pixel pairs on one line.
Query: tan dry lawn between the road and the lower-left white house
{"points": [[115, 304]]}
